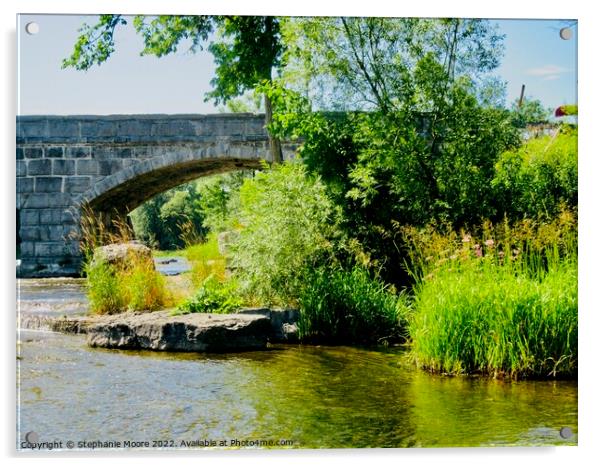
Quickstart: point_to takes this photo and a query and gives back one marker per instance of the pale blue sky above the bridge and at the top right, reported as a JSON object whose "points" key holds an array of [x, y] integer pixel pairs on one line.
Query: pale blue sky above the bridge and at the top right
{"points": [[127, 83]]}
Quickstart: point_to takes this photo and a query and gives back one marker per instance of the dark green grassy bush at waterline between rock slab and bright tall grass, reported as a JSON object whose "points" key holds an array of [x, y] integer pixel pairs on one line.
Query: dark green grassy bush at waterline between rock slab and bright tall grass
{"points": [[349, 307]]}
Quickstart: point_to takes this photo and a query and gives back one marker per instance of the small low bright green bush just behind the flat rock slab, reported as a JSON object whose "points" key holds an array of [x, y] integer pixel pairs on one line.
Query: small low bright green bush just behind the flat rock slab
{"points": [[213, 296]]}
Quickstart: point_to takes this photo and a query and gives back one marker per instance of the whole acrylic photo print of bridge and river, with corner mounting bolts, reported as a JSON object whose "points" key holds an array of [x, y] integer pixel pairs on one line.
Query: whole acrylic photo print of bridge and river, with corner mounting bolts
{"points": [[275, 233]]}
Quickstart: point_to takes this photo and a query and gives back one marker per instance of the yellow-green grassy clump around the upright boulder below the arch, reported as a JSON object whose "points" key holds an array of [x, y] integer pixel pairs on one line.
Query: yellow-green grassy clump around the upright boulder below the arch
{"points": [[135, 287]]}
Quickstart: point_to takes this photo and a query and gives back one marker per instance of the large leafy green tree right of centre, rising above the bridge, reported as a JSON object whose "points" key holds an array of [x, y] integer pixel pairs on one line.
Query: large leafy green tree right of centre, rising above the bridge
{"points": [[426, 150]]}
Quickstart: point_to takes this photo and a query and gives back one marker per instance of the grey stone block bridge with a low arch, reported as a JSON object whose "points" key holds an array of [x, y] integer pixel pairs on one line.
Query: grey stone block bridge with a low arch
{"points": [[115, 163]]}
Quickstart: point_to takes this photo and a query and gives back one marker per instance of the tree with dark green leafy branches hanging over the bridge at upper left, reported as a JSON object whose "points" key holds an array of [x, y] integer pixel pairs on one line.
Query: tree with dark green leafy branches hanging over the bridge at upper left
{"points": [[246, 49]]}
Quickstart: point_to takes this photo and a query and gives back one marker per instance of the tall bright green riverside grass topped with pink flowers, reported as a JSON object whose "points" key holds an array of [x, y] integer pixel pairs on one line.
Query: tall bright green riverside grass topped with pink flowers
{"points": [[499, 306]]}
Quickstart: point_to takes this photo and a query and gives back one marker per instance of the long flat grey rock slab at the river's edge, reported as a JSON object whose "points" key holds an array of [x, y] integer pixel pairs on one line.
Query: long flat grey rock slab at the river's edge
{"points": [[191, 332]]}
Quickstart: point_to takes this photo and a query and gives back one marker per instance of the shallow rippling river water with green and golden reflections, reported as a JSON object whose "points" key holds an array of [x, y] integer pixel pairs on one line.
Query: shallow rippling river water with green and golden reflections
{"points": [[301, 396]]}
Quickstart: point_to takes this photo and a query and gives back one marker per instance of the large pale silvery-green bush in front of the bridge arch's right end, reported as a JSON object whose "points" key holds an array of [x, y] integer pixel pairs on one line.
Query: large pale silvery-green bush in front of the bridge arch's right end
{"points": [[287, 221]]}
